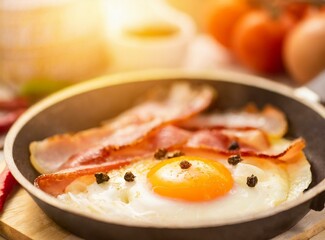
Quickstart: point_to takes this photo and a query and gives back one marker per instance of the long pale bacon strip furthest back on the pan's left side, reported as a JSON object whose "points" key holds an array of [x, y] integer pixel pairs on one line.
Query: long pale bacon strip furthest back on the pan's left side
{"points": [[163, 106]]}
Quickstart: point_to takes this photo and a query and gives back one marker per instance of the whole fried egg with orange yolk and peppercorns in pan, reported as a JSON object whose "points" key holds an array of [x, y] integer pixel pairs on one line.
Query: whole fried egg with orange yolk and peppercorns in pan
{"points": [[190, 190]]}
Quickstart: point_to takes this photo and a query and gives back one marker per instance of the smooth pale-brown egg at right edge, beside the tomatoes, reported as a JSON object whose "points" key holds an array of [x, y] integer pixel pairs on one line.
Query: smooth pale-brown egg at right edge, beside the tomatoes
{"points": [[304, 48]]}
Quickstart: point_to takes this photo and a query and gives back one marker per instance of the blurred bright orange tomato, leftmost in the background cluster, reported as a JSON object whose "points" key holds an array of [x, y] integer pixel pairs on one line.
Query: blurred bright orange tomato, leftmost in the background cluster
{"points": [[223, 18]]}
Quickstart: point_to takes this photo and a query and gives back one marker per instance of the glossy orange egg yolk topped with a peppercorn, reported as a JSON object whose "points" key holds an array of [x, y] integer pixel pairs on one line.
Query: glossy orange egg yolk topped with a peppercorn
{"points": [[204, 180]]}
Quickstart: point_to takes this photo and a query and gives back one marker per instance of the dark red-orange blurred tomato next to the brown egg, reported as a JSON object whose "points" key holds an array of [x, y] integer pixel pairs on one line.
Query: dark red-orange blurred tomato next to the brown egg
{"points": [[258, 40]]}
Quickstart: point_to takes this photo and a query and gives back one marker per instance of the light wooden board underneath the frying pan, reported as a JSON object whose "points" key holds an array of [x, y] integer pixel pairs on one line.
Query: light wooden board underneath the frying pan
{"points": [[23, 219]]}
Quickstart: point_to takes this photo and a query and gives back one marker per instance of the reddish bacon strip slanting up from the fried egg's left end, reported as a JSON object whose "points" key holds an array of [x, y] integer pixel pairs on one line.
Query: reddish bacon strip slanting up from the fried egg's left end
{"points": [[169, 136]]}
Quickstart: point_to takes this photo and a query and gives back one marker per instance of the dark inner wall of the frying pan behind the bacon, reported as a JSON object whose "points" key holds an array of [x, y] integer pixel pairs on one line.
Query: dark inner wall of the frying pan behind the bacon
{"points": [[88, 109]]}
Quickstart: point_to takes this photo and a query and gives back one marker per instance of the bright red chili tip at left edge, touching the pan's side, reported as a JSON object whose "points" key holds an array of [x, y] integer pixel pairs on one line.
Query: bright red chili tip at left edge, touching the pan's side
{"points": [[7, 182]]}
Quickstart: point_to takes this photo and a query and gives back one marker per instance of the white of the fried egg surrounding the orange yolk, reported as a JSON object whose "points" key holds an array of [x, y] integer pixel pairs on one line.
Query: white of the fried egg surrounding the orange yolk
{"points": [[136, 202]]}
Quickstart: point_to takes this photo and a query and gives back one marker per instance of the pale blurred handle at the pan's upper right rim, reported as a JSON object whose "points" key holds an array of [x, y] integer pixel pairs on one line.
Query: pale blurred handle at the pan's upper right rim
{"points": [[314, 90]]}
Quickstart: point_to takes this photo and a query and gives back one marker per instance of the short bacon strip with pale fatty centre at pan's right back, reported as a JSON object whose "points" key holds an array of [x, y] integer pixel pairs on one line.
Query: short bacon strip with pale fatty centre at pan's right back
{"points": [[271, 120]]}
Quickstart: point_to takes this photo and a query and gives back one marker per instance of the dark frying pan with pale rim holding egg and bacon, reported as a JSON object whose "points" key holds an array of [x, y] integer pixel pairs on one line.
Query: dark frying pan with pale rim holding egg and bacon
{"points": [[87, 104]]}
